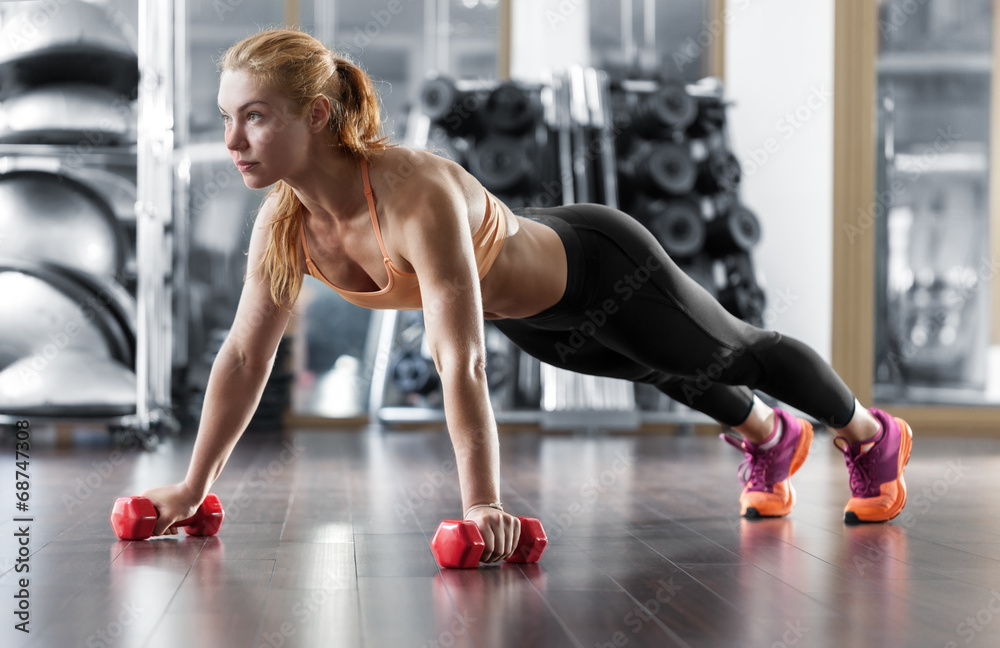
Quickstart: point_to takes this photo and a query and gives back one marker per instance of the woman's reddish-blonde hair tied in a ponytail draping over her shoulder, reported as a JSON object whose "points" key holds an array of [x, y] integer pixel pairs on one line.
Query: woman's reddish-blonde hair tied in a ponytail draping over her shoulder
{"points": [[303, 69]]}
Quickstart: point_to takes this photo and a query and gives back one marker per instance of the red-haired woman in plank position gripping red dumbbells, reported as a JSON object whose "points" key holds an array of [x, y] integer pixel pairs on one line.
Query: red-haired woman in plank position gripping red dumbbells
{"points": [[582, 287]]}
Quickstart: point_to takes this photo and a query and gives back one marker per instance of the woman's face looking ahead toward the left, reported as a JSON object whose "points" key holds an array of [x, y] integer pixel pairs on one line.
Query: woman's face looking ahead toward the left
{"points": [[267, 139]]}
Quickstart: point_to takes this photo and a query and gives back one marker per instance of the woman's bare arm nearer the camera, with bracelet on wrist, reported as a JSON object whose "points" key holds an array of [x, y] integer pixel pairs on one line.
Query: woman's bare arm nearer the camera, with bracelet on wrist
{"points": [[438, 244]]}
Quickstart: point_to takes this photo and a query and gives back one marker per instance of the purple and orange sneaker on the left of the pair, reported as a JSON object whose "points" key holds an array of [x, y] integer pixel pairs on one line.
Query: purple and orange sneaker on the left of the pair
{"points": [[767, 491]]}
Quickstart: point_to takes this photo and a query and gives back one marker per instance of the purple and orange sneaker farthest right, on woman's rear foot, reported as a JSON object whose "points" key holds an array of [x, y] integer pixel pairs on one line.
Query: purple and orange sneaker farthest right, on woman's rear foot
{"points": [[878, 492]]}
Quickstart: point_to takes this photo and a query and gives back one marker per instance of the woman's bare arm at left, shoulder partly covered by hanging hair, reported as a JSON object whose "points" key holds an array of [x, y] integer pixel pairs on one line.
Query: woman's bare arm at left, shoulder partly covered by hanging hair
{"points": [[235, 384]]}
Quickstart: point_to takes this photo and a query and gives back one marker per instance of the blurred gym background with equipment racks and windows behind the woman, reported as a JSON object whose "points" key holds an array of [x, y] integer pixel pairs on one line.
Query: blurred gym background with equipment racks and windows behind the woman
{"points": [[835, 191]]}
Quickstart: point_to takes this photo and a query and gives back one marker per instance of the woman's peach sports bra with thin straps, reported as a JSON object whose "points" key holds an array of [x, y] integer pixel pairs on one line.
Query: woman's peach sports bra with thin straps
{"points": [[403, 291]]}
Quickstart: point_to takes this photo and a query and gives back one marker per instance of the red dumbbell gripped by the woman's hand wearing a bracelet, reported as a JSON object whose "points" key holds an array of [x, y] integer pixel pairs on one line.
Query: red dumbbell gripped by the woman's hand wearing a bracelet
{"points": [[458, 543]]}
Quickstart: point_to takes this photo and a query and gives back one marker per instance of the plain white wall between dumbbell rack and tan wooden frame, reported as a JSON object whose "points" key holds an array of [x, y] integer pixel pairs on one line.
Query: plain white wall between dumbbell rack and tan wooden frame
{"points": [[779, 72]]}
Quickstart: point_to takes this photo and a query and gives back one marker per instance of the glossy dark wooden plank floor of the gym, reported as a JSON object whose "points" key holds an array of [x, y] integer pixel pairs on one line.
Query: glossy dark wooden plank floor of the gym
{"points": [[326, 544]]}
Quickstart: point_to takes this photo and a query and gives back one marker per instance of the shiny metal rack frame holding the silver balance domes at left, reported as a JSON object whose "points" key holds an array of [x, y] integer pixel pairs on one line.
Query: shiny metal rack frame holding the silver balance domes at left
{"points": [[153, 158]]}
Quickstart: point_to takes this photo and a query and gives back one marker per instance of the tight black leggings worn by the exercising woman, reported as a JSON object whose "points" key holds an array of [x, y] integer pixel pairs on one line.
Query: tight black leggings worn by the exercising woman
{"points": [[629, 312]]}
